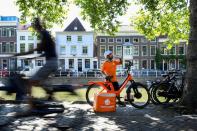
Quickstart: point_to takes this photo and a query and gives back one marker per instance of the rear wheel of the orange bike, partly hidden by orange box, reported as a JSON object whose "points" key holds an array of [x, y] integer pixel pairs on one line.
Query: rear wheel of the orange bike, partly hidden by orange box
{"points": [[91, 91]]}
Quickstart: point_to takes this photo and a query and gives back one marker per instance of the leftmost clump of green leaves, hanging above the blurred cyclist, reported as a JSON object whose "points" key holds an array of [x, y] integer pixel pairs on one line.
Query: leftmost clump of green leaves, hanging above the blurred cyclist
{"points": [[51, 11]]}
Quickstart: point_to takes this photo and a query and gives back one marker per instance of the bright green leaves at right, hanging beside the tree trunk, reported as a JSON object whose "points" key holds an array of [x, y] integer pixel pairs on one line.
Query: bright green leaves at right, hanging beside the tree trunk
{"points": [[163, 18]]}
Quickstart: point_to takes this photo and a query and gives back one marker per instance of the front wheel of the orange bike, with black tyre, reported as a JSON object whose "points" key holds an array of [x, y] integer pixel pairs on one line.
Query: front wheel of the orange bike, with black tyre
{"points": [[138, 95]]}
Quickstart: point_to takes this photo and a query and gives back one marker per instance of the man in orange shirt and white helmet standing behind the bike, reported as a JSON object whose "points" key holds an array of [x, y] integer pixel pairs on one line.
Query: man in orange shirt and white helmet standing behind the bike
{"points": [[109, 70]]}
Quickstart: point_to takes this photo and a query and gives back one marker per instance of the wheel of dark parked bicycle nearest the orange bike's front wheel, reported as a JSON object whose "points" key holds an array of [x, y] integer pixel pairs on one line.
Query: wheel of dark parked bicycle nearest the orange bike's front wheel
{"points": [[160, 93]]}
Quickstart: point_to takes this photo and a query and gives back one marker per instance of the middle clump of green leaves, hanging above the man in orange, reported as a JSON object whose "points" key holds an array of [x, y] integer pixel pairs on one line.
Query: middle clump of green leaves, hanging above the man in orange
{"points": [[103, 14]]}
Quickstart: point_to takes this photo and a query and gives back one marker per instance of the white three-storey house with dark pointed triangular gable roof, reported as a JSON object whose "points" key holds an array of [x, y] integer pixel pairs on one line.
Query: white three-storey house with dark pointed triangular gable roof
{"points": [[75, 48]]}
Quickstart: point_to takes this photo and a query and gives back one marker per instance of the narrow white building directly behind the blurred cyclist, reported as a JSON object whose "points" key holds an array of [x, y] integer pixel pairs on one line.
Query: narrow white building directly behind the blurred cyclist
{"points": [[26, 41]]}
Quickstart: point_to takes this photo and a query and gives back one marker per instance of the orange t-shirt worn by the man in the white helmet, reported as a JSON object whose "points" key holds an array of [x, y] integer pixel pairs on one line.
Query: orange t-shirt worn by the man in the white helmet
{"points": [[109, 67]]}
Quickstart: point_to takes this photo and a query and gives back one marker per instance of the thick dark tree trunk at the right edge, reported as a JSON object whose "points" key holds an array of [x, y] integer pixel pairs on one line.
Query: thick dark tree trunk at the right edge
{"points": [[190, 90]]}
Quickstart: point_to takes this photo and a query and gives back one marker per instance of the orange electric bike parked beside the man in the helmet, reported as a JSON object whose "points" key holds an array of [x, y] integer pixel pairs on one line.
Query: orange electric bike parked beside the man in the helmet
{"points": [[137, 94]]}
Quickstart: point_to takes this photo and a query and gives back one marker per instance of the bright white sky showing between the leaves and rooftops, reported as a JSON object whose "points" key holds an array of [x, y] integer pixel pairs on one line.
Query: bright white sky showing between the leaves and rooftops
{"points": [[8, 8]]}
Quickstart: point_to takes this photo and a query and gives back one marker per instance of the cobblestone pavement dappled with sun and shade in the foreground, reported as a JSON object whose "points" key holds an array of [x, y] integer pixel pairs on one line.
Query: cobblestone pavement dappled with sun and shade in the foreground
{"points": [[81, 117]]}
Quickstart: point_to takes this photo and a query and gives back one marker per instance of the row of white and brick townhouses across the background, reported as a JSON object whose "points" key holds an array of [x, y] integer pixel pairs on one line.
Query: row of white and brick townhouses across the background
{"points": [[81, 50]]}
